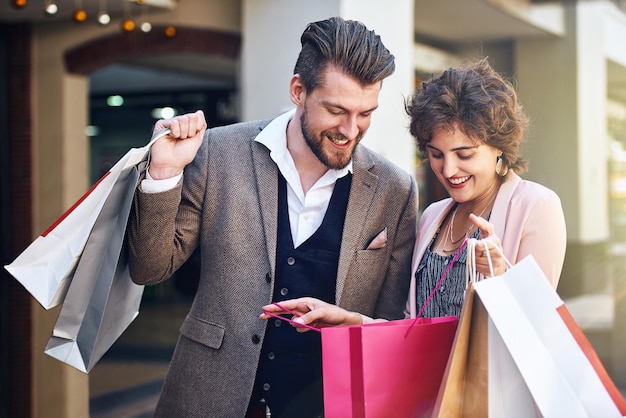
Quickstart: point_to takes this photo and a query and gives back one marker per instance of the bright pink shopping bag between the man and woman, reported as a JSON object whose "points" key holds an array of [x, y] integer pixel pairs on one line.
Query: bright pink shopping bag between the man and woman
{"points": [[385, 369]]}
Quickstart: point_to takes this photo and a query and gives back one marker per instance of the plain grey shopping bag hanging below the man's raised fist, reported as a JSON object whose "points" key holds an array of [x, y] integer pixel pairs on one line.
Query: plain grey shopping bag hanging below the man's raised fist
{"points": [[101, 300]]}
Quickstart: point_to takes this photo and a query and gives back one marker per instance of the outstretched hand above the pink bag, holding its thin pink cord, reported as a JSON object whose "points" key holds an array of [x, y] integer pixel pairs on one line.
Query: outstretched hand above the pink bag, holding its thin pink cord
{"points": [[313, 312]]}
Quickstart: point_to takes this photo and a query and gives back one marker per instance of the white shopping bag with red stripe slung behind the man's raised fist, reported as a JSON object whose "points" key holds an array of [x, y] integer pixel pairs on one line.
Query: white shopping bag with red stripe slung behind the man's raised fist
{"points": [[45, 268]]}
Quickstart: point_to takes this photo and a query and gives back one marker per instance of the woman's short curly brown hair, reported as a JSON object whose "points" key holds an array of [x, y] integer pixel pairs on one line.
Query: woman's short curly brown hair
{"points": [[480, 101]]}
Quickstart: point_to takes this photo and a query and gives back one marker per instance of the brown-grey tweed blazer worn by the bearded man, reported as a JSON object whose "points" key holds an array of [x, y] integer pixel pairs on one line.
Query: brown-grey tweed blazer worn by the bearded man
{"points": [[228, 205]]}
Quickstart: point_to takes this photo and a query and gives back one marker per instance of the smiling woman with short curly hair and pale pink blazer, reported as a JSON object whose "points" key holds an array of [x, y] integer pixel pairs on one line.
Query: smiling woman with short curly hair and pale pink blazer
{"points": [[470, 125]]}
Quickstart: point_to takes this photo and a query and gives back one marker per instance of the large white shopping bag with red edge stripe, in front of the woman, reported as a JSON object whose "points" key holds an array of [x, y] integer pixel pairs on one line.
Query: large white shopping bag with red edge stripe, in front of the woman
{"points": [[535, 342]]}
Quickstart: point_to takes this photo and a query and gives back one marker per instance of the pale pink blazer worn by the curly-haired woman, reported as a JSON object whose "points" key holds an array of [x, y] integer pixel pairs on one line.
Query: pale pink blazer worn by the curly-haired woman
{"points": [[528, 219]]}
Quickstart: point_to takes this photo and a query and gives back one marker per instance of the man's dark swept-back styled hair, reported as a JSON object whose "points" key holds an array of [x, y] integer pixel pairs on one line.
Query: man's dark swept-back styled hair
{"points": [[347, 45]]}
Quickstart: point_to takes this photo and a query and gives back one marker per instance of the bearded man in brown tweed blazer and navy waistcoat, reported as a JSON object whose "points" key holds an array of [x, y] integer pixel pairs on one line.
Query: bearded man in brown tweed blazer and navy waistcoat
{"points": [[280, 209]]}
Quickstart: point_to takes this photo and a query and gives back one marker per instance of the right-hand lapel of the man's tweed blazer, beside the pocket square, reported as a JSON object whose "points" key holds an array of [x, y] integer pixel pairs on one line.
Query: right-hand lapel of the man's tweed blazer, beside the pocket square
{"points": [[364, 184]]}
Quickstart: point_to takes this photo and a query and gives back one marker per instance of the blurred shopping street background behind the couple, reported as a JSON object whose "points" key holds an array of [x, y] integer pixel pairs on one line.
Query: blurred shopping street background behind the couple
{"points": [[82, 81]]}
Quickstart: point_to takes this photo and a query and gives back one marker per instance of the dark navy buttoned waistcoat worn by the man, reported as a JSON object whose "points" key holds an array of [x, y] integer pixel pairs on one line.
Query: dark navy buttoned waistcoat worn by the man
{"points": [[289, 376]]}
